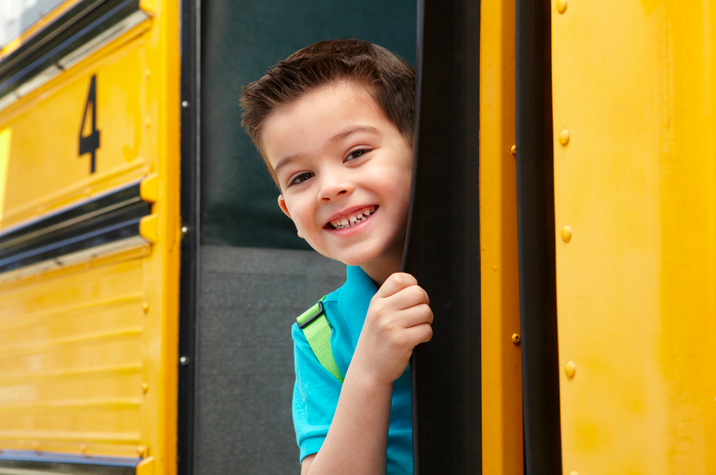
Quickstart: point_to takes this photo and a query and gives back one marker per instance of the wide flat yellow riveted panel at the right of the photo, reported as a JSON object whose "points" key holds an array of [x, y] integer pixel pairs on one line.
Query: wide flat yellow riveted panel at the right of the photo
{"points": [[633, 82]]}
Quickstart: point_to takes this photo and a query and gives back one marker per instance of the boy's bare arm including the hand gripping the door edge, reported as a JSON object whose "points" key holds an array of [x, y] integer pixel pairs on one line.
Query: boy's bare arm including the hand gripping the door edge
{"points": [[398, 319]]}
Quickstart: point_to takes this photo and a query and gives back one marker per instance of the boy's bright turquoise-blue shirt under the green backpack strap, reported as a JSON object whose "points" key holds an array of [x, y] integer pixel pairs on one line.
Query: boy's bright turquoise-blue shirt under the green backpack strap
{"points": [[316, 392]]}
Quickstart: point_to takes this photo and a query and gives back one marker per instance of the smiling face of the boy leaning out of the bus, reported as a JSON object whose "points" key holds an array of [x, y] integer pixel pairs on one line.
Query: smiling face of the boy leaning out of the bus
{"points": [[345, 174]]}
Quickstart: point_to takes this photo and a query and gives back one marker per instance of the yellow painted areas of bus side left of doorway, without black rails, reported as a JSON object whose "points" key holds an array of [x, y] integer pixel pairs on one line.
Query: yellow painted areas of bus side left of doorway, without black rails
{"points": [[88, 351]]}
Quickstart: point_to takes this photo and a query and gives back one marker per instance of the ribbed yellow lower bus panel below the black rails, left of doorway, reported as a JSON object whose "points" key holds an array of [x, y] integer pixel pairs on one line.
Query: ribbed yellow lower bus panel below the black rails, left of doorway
{"points": [[71, 358]]}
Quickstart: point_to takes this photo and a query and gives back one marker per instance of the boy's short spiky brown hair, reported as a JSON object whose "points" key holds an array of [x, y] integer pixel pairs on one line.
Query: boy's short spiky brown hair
{"points": [[389, 78]]}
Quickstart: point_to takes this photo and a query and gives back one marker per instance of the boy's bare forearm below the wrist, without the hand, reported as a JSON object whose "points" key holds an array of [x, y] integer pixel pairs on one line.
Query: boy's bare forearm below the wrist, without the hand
{"points": [[357, 440]]}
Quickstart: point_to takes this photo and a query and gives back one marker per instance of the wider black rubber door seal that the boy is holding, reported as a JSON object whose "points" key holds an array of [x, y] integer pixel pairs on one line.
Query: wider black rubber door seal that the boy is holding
{"points": [[443, 247]]}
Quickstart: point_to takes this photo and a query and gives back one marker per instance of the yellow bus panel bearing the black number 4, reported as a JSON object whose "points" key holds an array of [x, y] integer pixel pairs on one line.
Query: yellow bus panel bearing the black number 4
{"points": [[57, 174]]}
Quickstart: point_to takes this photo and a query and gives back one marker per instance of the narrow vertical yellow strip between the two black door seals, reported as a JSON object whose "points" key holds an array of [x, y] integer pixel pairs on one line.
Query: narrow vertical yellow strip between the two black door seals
{"points": [[501, 368]]}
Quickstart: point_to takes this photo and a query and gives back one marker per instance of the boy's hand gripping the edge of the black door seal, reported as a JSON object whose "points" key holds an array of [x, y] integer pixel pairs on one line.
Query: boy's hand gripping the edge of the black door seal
{"points": [[398, 319]]}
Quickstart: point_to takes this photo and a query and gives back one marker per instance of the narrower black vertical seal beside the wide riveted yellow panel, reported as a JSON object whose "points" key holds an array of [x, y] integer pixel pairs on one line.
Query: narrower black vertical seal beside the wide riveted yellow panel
{"points": [[535, 238]]}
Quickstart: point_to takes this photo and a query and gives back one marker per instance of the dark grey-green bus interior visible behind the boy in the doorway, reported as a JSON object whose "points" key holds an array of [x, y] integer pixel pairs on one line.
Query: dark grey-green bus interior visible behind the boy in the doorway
{"points": [[256, 275]]}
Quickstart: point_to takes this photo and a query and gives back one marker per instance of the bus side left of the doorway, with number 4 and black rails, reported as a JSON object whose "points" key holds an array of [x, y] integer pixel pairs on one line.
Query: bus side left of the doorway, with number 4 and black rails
{"points": [[89, 230]]}
